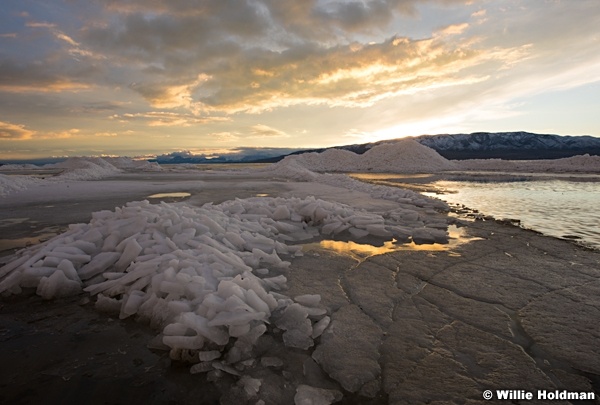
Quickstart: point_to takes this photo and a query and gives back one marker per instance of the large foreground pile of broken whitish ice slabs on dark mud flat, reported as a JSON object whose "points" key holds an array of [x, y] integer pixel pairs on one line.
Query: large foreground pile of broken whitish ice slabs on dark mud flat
{"points": [[210, 278]]}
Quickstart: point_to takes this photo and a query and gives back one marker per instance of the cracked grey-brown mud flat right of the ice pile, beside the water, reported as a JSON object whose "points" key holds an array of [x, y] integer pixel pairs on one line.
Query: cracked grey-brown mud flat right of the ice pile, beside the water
{"points": [[516, 310]]}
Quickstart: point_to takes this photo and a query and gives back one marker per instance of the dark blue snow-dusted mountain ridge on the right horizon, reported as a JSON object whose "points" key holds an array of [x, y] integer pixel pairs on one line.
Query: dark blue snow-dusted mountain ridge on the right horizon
{"points": [[510, 145]]}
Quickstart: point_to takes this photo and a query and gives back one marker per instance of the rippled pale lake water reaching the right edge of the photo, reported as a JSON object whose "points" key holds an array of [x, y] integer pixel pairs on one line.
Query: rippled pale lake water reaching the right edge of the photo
{"points": [[561, 208]]}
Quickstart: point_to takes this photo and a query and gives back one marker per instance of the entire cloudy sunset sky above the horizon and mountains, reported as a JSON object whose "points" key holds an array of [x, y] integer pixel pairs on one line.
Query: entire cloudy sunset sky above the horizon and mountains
{"points": [[147, 77]]}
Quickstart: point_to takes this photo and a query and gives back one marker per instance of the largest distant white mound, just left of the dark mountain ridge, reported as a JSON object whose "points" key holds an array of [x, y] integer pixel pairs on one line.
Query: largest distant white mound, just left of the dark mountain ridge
{"points": [[404, 156]]}
